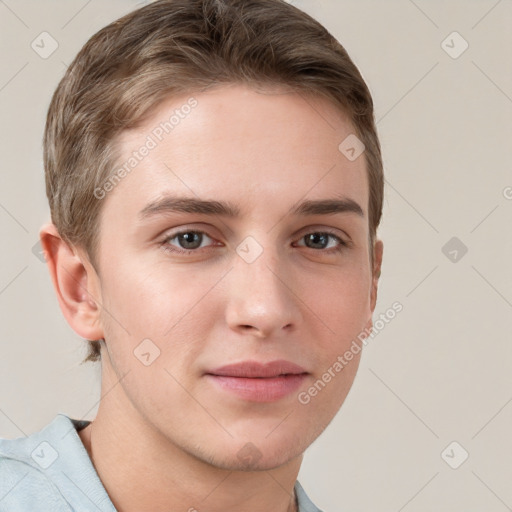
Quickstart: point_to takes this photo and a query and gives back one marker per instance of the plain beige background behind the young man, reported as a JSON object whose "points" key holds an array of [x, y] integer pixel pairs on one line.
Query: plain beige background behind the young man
{"points": [[441, 370]]}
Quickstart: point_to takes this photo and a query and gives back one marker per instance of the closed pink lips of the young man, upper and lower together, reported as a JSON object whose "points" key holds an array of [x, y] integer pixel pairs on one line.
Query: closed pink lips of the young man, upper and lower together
{"points": [[259, 382]]}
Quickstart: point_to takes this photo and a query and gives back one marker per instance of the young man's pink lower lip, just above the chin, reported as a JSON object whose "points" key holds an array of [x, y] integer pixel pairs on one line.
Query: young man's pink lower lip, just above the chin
{"points": [[260, 390]]}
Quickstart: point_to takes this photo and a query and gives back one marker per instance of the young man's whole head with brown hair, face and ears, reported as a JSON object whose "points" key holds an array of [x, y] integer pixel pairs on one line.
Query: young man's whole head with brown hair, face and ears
{"points": [[246, 105]]}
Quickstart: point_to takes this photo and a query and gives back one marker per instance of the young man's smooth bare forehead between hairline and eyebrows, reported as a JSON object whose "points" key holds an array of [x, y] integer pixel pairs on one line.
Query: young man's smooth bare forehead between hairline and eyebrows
{"points": [[254, 148]]}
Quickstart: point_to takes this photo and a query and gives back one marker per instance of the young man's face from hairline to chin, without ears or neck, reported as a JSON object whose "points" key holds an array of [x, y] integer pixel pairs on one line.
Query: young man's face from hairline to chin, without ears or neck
{"points": [[198, 298]]}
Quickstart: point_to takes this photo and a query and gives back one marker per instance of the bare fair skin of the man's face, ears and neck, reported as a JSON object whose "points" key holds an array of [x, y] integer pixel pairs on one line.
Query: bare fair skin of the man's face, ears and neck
{"points": [[264, 152]]}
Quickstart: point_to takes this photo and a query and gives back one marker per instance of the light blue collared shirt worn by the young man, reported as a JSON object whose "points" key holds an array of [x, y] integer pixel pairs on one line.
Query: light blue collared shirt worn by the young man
{"points": [[51, 471]]}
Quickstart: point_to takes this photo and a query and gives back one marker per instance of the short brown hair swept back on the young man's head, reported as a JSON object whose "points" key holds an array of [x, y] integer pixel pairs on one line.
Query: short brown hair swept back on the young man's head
{"points": [[173, 47]]}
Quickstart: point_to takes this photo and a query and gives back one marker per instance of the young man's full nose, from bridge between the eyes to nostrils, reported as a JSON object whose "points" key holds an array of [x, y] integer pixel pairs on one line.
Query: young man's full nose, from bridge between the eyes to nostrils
{"points": [[259, 294]]}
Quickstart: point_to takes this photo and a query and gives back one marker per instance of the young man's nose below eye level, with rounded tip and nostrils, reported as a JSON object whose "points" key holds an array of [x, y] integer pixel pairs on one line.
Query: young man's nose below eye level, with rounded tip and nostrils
{"points": [[262, 302]]}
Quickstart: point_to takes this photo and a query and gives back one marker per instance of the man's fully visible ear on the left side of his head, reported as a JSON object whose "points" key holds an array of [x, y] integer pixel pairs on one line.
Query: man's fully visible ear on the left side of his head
{"points": [[76, 284]]}
